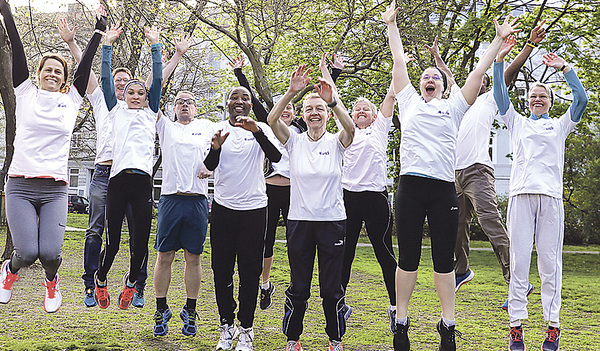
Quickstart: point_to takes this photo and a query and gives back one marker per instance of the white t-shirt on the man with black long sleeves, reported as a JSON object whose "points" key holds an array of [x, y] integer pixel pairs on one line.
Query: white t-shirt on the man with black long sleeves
{"points": [[239, 178]]}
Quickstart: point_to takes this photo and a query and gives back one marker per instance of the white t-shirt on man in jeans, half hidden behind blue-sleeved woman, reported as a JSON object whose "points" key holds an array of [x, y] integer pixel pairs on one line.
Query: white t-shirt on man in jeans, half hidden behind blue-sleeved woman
{"points": [[103, 125]]}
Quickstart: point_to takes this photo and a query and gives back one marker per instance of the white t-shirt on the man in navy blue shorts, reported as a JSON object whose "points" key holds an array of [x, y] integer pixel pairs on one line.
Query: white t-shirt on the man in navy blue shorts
{"points": [[184, 148]]}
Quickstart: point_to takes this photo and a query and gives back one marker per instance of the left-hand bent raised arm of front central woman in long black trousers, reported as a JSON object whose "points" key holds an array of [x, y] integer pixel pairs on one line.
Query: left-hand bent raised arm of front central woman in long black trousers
{"points": [[298, 81]]}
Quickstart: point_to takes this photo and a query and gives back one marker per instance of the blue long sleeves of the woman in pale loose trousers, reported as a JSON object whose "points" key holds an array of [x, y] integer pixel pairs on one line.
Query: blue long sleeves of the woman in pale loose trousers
{"points": [[577, 108]]}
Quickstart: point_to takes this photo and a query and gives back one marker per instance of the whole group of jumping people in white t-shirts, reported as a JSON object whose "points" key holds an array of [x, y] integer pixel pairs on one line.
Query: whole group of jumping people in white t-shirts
{"points": [[325, 185]]}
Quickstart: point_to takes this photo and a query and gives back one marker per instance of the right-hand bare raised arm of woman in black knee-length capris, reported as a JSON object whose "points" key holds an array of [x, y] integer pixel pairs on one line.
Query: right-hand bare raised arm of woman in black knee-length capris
{"points": [[472, 85]]}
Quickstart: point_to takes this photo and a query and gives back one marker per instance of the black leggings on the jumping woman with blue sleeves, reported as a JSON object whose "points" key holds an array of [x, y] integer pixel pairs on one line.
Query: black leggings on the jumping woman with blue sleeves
{"points": [[123, 190]]}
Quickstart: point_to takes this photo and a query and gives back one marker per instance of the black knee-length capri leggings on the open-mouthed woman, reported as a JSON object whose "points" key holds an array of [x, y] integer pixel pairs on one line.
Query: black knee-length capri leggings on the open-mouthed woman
{"points": [[416, 198]]}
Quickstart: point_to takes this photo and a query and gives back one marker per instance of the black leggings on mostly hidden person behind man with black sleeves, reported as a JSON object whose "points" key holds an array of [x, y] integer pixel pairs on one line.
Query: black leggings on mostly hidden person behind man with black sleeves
{"points": [[279, 201]]}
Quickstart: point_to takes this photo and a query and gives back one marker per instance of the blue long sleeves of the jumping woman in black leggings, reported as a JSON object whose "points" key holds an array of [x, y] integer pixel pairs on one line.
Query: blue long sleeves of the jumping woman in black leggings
{"points": [[108, 85]]}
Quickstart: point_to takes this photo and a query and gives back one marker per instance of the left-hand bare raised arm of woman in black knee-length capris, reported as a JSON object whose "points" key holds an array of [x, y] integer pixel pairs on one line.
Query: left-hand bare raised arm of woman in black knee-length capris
{"points": [[399, 72]]}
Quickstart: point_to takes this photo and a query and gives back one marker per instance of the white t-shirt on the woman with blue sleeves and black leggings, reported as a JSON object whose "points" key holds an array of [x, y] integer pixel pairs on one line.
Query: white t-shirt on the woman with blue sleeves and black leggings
{"points": [[134, 133]]}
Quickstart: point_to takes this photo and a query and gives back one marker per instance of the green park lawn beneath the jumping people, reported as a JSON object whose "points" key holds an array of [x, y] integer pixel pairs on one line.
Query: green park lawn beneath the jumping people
{"points": [[25, 325]]}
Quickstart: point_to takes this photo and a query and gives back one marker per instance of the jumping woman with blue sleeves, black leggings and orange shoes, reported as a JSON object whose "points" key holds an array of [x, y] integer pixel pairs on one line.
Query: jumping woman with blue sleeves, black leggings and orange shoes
{"points": [[130, 184]]}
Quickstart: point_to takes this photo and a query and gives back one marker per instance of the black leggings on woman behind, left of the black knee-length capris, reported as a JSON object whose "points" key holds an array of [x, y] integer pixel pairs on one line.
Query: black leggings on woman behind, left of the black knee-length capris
{"points": [[374, 209]]}
